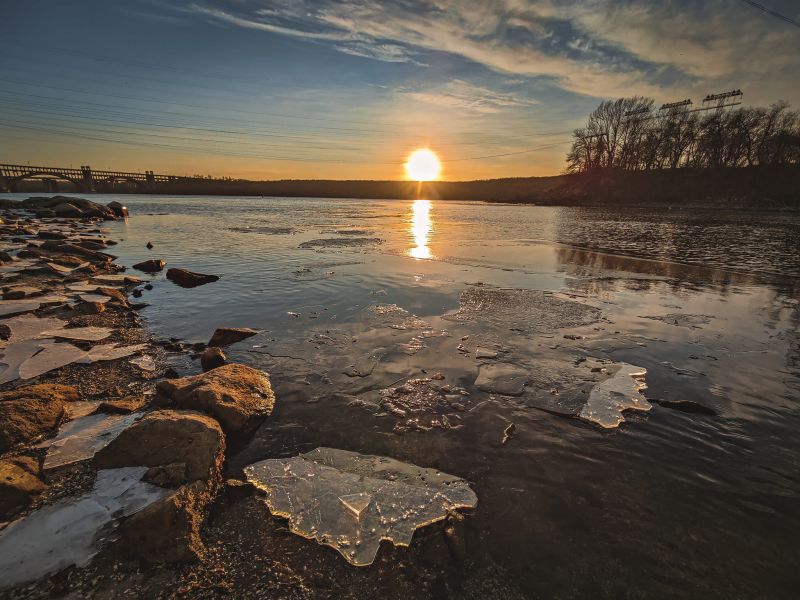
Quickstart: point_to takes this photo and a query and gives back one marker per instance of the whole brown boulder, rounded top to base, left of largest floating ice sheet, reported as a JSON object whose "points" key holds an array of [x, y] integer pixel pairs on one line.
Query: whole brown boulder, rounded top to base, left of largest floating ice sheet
{"points": [[183, 449]]}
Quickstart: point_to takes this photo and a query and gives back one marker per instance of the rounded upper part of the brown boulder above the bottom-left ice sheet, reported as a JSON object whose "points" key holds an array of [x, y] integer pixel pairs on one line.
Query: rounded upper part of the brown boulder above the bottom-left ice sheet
{"points": [[165, 437]]}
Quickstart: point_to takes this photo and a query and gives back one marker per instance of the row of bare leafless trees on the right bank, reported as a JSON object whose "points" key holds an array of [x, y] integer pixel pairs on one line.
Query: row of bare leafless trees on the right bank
{"points": [[630, 134]]}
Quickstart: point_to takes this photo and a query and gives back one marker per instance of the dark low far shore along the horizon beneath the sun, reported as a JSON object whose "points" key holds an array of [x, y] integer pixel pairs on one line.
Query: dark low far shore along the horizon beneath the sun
{"points": [[774, 187]]}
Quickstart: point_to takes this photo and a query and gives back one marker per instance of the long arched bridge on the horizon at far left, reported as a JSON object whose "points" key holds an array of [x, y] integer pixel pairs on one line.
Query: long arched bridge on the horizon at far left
{"points": [[84, 178]]}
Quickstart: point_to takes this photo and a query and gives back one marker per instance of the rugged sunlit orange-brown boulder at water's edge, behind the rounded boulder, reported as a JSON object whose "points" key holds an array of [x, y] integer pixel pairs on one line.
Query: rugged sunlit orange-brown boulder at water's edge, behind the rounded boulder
{"points": [[239, 396]]}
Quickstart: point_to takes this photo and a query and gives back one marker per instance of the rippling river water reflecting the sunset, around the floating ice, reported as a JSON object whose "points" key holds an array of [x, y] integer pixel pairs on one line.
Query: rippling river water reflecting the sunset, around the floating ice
{"points": [[669, 504]]}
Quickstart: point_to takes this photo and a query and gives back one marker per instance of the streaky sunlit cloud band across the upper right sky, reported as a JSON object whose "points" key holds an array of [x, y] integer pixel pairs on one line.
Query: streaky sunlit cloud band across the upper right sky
{"points": [[600, 48]]}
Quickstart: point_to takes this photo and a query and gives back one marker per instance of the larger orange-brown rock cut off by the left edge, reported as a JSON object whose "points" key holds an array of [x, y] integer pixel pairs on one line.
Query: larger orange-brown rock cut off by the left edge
{"points": [[28, 412]]}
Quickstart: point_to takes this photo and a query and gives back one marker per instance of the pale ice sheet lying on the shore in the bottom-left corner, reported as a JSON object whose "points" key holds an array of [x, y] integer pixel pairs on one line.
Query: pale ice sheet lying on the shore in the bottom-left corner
{"points": [[72, 531]]}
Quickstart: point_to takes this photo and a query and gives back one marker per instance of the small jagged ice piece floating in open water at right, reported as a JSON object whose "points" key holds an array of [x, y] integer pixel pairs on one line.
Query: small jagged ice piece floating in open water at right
{"points": [[621, 391]]}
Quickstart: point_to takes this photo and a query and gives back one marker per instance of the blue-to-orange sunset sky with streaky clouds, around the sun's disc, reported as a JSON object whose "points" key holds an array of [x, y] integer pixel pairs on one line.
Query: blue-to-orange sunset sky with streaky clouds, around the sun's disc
{"points": [[308, 89]]}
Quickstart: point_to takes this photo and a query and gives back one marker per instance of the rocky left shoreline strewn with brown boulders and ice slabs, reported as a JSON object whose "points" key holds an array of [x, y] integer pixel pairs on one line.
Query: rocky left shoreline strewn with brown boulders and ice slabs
{"points": [[88, 405]]}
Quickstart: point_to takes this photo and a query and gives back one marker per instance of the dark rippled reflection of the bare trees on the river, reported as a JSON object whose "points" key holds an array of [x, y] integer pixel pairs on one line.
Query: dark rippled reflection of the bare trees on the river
{"points": [[756, 243]]}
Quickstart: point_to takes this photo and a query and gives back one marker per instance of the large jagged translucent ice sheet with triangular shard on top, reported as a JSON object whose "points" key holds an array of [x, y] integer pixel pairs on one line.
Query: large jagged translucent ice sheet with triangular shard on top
{"points": [[352, 501]]}
